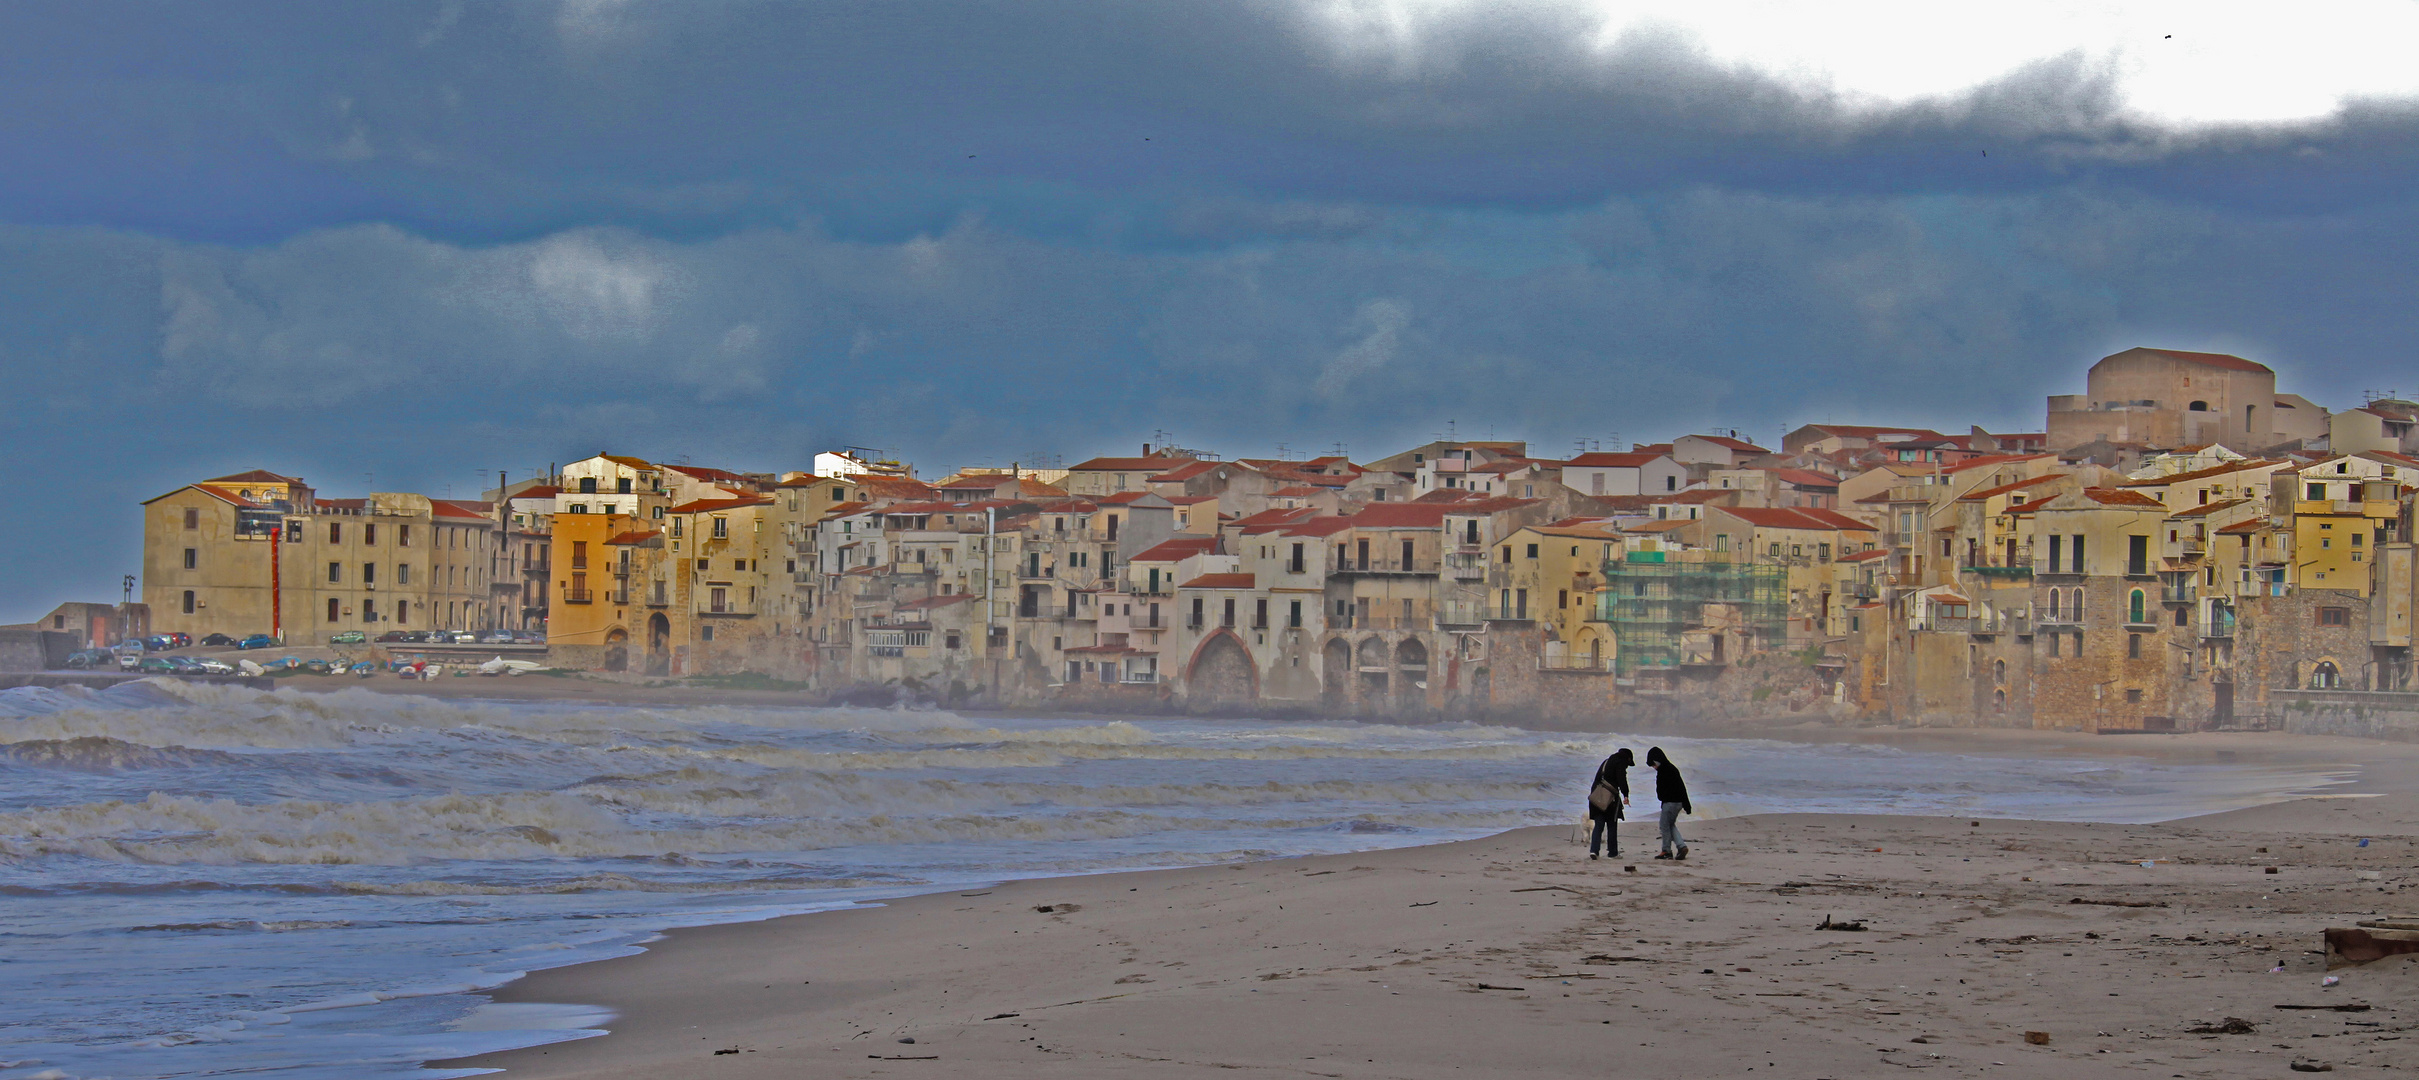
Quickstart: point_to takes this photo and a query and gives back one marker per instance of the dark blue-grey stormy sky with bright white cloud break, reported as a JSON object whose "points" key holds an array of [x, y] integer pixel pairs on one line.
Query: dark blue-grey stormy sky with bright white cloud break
{"points": [[410, 246]]}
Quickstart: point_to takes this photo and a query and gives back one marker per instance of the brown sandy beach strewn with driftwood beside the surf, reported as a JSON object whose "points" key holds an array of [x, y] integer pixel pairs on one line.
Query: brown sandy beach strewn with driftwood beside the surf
{"points": [[1518, 955]]}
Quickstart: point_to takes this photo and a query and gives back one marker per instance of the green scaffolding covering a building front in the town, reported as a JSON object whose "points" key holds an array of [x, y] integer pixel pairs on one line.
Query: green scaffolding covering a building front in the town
{"points": [[1651, 604]]}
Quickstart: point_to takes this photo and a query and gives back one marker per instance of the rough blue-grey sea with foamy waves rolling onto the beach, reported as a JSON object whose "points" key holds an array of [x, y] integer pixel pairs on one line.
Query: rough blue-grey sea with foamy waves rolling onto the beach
{"points": [[207, 880]]}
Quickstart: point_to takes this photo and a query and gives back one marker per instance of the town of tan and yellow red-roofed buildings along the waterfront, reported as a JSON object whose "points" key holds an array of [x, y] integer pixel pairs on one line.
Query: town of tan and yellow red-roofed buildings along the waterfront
{"points": [[2178, 546]]}
